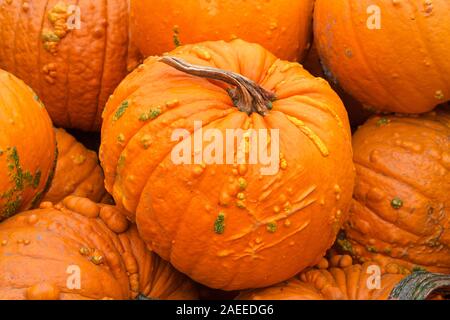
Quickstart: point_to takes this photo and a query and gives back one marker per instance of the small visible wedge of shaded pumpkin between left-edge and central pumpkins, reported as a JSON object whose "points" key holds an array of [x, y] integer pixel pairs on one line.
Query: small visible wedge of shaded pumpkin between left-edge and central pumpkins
{"points": [[77, 172]]}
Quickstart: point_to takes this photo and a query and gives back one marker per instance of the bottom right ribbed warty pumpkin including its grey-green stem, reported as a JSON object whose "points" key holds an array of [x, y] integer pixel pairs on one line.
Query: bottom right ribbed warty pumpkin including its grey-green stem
{"points": [[340, 279]]}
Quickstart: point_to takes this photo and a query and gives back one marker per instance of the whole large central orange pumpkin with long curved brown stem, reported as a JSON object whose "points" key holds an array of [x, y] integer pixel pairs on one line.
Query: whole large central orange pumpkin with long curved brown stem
{"points": [[257, 229]]}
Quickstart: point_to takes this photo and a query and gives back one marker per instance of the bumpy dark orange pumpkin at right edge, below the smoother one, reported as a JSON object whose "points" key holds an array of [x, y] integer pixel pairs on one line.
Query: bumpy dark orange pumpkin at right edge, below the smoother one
{"points": [[399, 216]]}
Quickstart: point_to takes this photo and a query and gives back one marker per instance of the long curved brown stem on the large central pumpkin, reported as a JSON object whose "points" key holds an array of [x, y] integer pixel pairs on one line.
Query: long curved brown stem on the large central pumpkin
{"points": [[247, 96]]}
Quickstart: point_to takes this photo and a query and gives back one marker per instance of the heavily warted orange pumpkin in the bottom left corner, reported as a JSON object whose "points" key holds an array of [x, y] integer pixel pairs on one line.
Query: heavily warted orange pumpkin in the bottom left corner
{"points": [[44, 251]]}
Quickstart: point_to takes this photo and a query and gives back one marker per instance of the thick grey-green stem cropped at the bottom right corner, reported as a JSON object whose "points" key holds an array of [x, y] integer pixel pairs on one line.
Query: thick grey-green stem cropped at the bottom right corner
{"points": [[420, 285]]}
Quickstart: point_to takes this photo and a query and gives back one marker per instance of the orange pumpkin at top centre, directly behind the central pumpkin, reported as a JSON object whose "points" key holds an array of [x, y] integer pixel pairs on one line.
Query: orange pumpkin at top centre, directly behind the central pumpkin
{"points": [[283, 26]]}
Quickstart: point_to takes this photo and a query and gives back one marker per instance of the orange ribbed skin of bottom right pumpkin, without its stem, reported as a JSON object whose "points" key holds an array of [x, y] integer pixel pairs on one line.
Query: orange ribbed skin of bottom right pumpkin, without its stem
{"points": [[336, 279]]}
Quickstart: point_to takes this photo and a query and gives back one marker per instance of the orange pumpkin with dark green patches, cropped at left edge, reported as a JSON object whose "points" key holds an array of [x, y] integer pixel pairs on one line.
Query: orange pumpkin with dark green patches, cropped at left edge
{"points": [[27, 147]]}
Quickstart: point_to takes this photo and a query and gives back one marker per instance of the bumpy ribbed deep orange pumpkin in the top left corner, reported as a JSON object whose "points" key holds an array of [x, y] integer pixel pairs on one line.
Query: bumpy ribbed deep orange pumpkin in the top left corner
{"points": [[73, 67]]}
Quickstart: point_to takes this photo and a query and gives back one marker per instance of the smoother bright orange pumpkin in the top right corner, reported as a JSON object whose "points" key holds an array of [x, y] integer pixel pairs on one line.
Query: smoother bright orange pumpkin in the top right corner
{"points": [[401, 64]]}
